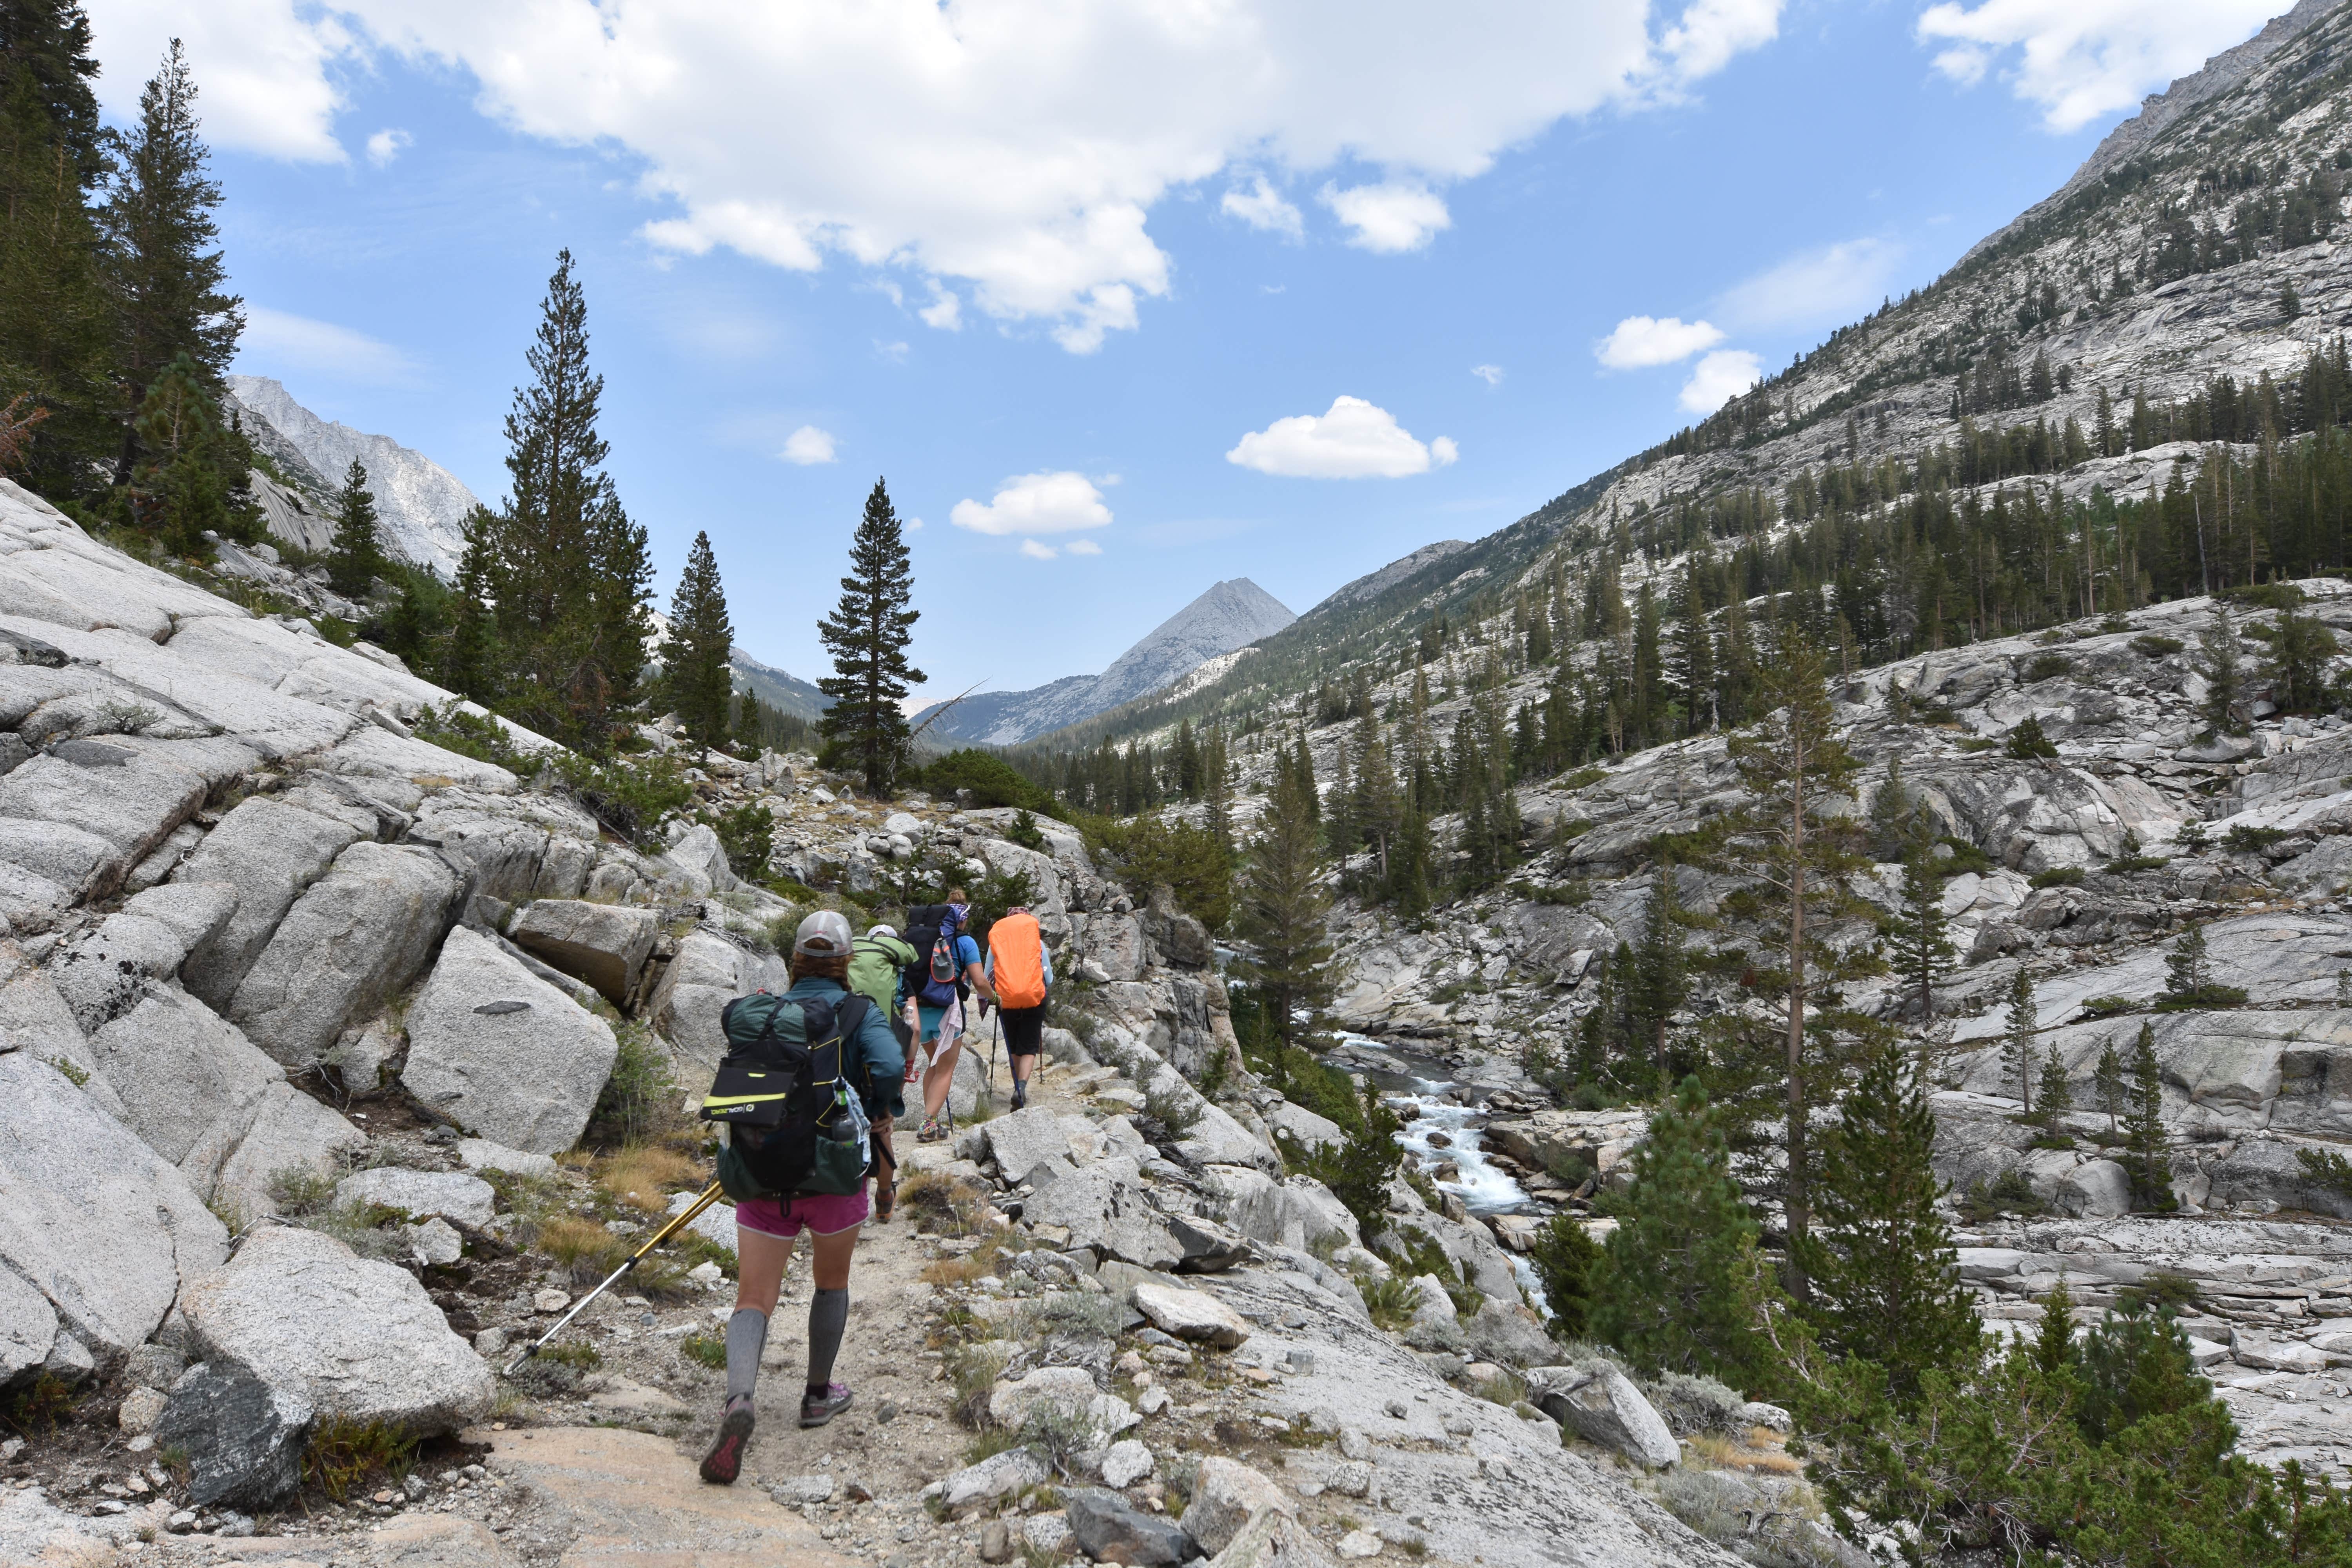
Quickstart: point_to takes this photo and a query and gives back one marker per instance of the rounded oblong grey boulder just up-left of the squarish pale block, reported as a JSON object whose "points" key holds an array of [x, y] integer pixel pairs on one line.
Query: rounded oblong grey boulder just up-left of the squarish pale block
{"points": [[347, 946]]}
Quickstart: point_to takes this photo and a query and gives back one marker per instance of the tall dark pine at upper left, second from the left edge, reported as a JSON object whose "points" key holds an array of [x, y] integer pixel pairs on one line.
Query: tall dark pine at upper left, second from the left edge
{"points": [[166, 272]]}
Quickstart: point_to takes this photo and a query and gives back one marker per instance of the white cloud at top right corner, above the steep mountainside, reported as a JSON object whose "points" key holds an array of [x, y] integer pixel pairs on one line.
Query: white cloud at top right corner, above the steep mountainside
{"points": [[2080, 60]]}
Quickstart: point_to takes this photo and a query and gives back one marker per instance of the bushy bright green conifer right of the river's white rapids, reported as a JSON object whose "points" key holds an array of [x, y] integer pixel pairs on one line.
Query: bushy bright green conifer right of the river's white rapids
{"points": [[1676, 1282]]}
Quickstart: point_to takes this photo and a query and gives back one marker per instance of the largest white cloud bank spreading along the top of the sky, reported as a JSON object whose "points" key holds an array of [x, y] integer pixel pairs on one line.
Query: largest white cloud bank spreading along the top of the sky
{"points": [[1008, 147]]}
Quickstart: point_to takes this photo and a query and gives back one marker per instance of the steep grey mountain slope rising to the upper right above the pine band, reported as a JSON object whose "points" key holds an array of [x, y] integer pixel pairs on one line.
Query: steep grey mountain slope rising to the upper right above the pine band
{"points": [[2158, 272]]}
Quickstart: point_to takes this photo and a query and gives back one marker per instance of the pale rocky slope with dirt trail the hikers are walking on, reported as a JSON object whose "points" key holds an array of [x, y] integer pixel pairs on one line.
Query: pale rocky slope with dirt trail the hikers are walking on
{"points": [[302, 1028]]}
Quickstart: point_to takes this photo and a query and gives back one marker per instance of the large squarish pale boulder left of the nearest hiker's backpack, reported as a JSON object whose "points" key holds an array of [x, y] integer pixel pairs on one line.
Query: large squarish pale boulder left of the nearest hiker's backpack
{"points": [[505, 1054]]}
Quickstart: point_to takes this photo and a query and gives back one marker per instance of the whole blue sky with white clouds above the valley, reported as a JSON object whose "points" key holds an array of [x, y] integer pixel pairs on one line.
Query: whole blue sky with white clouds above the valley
{"points": [[1088, 293]]}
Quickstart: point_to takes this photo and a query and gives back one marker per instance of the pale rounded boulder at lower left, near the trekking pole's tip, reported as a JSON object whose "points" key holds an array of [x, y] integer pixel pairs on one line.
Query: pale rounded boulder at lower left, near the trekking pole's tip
{"points": [[354, 1339]]}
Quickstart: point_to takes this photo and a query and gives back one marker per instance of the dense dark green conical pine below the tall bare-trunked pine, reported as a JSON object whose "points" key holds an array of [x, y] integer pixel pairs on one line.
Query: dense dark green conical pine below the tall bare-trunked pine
{"points": [[1880, 1261]]}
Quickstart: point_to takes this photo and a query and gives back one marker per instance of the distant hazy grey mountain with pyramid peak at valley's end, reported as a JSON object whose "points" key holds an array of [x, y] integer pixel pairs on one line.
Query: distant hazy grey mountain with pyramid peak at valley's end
{"points": [[1224, 619]]}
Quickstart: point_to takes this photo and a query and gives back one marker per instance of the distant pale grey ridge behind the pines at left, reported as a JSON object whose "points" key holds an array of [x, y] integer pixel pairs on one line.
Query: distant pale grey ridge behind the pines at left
{"points": [[420, 504]]}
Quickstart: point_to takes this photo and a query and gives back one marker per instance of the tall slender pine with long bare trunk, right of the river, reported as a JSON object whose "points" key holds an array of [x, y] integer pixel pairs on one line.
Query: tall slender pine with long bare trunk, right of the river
{"points": [[1800, 847]]}
